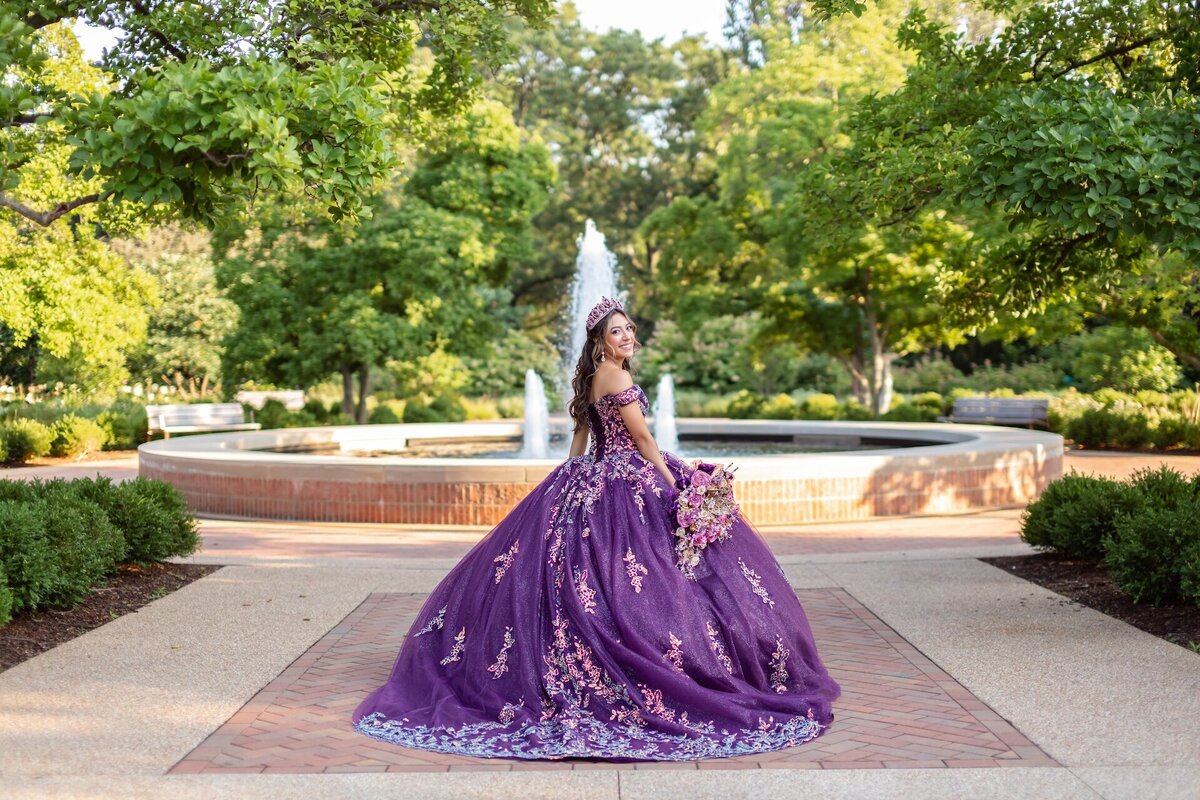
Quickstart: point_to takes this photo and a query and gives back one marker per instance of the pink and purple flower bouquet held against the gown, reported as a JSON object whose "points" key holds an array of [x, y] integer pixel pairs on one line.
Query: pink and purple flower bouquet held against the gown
{"points": [[704, 513]]}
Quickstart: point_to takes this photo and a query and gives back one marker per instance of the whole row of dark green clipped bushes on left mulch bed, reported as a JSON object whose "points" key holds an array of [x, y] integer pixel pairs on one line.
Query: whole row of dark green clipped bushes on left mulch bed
{"points": [[59, 539]]}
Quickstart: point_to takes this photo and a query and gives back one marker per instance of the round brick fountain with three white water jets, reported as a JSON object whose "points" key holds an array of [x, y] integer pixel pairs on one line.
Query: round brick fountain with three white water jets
{"points": [[874, 468]]}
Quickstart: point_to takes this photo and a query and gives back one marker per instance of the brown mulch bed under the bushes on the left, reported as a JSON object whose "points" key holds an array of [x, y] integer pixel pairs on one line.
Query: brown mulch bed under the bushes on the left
{"points": [[133, 587]]}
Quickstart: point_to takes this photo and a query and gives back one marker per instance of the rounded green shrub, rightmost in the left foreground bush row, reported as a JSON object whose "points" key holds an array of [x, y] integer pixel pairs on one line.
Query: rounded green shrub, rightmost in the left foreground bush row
{"points": [[155, 520]]}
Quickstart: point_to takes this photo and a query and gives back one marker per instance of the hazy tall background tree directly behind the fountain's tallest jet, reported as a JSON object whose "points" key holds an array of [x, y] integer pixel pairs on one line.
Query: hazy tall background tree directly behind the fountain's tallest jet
{"points": [[619, 113]]}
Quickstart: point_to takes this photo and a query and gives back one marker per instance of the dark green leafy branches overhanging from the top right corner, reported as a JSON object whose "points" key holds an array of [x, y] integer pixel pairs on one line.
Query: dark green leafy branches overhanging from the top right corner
{"points": [[1077, 123]]}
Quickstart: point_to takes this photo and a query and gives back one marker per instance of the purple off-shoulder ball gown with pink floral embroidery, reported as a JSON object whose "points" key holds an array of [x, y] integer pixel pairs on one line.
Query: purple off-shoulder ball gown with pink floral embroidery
{"points": [[571, 633]]}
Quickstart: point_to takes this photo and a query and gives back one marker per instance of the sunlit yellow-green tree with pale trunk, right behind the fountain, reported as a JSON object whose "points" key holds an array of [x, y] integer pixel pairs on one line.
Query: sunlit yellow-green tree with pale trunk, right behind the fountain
{"points": [[749, 243]]}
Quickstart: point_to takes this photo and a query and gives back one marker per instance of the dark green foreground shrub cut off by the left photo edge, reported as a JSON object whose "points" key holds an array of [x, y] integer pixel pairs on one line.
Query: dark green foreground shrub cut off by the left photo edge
{"points": [[27, 556]]}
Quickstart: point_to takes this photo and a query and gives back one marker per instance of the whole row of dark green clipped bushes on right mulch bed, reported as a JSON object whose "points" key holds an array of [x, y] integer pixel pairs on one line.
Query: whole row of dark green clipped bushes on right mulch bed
{"points": [[1147, 531]]}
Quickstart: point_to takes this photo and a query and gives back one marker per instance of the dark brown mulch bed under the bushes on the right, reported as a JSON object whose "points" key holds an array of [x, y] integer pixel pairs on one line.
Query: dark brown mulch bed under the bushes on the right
{"points": [[1089, 584]]}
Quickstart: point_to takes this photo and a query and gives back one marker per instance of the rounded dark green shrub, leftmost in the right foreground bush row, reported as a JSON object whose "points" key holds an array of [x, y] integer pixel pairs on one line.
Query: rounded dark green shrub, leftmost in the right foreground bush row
{"points": [[1077, 514]]}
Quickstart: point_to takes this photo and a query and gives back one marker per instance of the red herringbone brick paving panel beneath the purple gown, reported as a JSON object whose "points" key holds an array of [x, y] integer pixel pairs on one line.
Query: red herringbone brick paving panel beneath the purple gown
{"points": [[898, 709]]}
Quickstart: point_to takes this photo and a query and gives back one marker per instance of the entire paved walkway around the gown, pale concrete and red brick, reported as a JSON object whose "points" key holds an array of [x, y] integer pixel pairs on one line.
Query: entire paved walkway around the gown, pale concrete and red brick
{"points": [[959, 679]]}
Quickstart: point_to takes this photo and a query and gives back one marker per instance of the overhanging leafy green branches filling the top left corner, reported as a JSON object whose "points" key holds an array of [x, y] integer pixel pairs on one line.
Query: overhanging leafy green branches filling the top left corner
{"points": [[203, 105]]}
